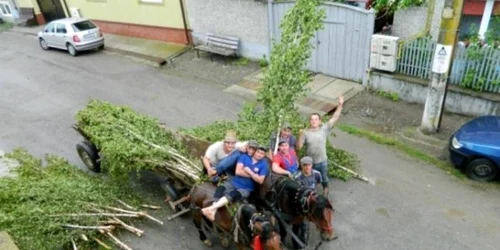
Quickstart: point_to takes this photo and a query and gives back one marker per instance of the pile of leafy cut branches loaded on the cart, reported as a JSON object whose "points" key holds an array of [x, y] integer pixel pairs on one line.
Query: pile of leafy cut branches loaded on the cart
{"points": [[131, 142]]}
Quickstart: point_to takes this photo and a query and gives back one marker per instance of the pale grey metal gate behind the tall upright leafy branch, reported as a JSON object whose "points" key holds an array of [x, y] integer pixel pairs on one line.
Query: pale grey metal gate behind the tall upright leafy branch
{"points": [[342, 48]]}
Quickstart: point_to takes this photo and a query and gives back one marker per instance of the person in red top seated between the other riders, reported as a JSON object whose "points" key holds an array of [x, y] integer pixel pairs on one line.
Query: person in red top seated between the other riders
{"points": [[285, 161]]}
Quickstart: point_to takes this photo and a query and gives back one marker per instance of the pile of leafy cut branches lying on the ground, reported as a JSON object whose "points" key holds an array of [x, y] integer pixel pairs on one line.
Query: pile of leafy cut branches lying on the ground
{"points": [[54, 205]]}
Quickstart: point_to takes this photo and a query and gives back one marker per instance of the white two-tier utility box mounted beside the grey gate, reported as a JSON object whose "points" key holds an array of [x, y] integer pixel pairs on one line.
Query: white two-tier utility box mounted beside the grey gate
{"points": [[384, 51]]}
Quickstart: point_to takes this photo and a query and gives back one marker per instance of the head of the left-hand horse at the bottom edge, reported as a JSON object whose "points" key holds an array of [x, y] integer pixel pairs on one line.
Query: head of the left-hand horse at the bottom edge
{"points": [[267, 229]]}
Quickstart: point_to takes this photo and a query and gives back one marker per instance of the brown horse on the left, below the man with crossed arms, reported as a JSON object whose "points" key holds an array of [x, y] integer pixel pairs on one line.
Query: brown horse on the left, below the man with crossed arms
{"points": [[243, 227]]}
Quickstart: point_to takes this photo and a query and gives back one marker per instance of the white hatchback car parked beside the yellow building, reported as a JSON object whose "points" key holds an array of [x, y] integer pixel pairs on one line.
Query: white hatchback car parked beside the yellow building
{"points": [[71, 34]]}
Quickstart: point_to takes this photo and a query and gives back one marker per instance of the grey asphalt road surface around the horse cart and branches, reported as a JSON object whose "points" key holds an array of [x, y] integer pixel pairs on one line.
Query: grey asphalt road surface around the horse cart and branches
{"points": [[412, 206]]}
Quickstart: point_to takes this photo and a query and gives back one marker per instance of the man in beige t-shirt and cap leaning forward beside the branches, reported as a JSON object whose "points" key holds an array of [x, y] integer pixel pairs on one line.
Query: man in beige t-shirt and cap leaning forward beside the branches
{"points": [[223, 154]]}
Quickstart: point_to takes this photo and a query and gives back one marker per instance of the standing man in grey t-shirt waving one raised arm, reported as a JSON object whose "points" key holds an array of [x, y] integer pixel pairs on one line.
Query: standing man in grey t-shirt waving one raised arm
{"points": [[315, 137]]}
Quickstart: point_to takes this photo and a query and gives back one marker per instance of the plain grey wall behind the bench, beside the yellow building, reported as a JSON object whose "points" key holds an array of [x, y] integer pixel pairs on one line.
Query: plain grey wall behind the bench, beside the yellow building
{"points": [[245, 19]]}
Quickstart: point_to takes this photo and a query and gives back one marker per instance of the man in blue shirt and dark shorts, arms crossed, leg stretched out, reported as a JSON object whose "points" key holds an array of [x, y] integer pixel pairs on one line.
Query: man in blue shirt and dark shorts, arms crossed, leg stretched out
{"points": [[249, 171]]}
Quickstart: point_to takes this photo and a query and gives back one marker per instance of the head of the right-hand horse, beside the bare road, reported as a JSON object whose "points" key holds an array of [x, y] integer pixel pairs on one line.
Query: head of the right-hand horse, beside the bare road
{"points": [[320, 212]]}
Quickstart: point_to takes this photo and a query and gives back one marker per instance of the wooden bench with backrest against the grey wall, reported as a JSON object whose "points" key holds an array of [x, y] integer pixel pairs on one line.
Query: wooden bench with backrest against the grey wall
{"points": [[219, 44]]}
